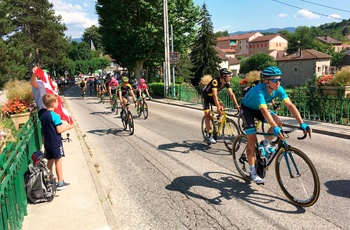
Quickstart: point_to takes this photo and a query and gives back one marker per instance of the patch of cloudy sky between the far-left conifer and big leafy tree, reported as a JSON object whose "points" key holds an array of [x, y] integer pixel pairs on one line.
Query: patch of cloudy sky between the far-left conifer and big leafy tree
{"points": [[76, 17]]}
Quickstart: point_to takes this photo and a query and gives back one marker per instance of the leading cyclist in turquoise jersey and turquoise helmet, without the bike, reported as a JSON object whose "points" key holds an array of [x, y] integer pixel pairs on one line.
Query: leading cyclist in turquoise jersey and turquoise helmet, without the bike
{"points": [[254, 105]]}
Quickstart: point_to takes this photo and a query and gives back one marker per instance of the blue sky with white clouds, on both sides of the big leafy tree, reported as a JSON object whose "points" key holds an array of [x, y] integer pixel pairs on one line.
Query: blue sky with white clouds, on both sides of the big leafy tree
{"points": [[230, 15]]}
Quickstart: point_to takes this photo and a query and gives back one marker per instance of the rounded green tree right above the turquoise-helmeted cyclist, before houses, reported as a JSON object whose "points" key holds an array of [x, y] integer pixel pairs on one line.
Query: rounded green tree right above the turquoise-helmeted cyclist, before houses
{"points": [[257, 61]]}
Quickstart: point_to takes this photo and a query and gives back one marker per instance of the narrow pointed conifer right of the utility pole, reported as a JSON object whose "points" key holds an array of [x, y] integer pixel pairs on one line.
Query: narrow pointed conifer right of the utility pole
{"points": [[203, 56]]}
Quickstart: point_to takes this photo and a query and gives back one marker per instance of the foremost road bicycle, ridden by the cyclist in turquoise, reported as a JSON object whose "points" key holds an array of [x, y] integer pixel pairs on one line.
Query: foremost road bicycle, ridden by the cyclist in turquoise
{"points": [[295, 173]]}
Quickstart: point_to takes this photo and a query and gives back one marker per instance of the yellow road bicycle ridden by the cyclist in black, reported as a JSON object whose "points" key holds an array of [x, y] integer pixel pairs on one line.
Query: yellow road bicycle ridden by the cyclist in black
{"points": [[224, 127]]}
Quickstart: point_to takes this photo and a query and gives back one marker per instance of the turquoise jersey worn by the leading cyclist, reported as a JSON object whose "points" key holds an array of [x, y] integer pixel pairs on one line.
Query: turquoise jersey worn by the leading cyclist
{"points": [[258, 97]]}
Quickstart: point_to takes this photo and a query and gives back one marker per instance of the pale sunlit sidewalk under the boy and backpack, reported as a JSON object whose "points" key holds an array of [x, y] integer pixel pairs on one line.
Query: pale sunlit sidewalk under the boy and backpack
{"points": [[83, 205]]}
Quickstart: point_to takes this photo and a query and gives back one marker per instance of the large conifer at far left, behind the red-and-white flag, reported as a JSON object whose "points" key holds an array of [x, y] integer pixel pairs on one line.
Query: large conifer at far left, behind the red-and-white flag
{"points": [[32, 31]]}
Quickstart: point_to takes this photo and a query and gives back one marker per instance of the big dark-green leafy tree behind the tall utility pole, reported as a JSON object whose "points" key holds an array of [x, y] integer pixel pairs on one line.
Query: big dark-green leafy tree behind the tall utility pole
{"points": [[132, 31]]}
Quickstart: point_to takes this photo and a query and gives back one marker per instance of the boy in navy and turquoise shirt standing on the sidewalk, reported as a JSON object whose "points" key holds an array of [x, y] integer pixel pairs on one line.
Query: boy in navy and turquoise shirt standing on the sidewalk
{"points": [[52, 127]]}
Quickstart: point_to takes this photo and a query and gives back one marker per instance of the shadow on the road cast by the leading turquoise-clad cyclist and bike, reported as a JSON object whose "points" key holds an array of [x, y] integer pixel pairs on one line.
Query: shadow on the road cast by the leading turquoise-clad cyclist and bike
{"points": [[229, 187]]}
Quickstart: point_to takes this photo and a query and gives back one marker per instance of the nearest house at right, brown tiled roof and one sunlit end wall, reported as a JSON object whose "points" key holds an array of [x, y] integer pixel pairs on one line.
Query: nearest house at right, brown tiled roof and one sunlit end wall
{"points": [[302, 66]]}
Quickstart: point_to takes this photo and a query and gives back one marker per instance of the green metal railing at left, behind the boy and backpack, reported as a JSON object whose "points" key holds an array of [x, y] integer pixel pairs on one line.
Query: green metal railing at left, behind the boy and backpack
{"points": [[14, 161]]}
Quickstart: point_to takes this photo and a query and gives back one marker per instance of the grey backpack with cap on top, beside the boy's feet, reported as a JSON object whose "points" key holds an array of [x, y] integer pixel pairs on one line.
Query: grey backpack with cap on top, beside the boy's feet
{"points": [[39, 187]]}
